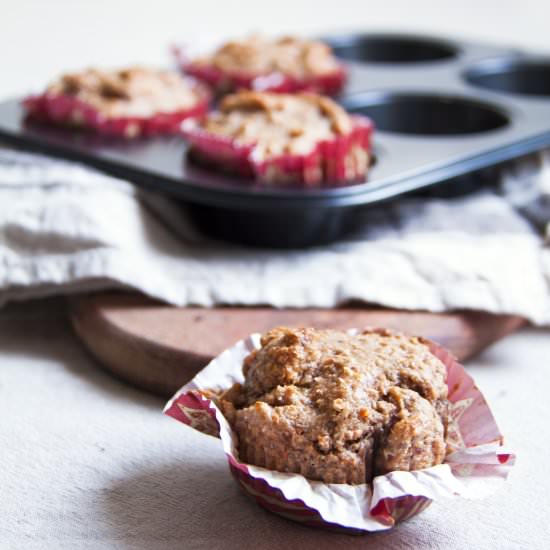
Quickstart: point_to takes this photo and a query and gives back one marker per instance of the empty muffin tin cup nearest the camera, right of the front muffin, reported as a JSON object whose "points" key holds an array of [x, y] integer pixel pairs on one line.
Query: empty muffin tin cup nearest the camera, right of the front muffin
{"points": [[426, 114]]}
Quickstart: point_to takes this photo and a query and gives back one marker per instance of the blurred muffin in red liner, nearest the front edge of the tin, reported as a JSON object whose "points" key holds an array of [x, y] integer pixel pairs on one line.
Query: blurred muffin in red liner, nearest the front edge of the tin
{"points": [[282, 139]]}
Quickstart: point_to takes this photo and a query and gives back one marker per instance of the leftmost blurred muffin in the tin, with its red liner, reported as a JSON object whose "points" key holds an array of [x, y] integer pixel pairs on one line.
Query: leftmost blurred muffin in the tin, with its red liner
{"points": [[129, 102]]}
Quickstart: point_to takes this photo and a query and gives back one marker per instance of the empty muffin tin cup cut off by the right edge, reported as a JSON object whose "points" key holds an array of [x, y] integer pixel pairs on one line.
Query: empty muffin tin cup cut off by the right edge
{"points": [[525, 76]]}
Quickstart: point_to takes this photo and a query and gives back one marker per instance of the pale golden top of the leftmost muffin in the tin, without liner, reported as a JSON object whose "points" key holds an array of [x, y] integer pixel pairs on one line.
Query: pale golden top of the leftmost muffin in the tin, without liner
{"points": [[132, 92]]}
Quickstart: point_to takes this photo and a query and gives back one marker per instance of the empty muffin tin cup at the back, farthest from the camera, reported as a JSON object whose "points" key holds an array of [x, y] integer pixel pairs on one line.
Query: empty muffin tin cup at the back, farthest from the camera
{"points": [[388, 48]]}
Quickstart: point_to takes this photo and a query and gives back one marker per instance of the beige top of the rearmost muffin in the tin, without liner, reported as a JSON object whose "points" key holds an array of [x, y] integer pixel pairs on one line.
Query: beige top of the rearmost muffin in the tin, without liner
{"points": [[259, 55]]}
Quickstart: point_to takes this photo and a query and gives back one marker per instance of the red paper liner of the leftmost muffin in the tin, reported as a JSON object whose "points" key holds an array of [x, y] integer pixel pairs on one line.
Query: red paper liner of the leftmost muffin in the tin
{"points": [[65, 110]]}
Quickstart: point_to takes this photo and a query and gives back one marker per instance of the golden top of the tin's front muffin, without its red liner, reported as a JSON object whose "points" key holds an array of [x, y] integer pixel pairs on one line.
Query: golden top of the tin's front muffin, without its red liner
{"points": [[278, 123]]}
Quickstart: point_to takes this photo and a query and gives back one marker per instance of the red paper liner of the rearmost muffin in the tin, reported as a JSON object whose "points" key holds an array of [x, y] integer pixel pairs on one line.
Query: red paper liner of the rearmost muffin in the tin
{"points": [[223, 82]]}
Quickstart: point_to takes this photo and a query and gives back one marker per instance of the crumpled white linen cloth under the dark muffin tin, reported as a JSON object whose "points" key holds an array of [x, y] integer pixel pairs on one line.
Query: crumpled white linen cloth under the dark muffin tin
{"points": [[66, 228]]}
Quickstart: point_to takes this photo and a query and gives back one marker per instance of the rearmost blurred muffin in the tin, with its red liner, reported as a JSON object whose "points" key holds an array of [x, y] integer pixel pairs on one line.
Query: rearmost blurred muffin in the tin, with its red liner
{"points": [[287, 64]]}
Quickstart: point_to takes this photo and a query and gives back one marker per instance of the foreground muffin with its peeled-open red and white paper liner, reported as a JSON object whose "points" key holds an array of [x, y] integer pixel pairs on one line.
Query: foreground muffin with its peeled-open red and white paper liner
{"points": [[345, 407]]}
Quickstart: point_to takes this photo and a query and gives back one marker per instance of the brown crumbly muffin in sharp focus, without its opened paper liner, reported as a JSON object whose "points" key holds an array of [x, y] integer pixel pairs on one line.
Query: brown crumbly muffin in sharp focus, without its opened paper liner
{"points": [[340, 408]]}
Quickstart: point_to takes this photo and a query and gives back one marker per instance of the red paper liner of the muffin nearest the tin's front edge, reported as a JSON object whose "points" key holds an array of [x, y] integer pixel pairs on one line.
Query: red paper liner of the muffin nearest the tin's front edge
{"points": [[344, 159]]}
